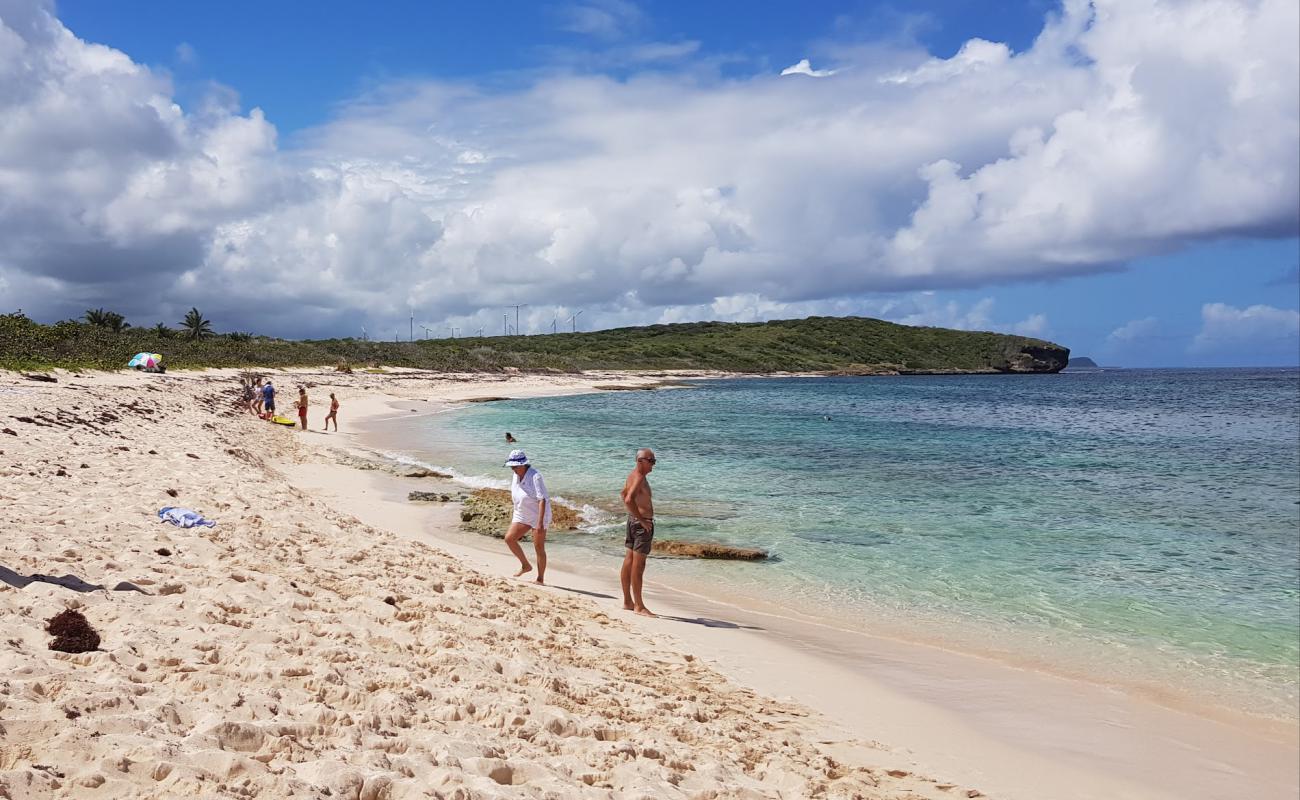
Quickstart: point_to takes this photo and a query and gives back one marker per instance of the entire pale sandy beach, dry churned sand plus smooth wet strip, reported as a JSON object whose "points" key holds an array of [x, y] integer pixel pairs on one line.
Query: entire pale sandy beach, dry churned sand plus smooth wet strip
{"points": [[262, 658]]}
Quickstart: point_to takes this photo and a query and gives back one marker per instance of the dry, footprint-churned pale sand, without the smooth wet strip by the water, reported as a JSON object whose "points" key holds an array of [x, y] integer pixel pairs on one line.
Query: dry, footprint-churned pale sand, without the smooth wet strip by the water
{"points": [[294, 651]]}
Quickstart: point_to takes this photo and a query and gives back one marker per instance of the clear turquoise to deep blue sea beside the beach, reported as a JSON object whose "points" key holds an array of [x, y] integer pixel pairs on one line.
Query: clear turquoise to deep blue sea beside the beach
{"points": [[1134, 526]]}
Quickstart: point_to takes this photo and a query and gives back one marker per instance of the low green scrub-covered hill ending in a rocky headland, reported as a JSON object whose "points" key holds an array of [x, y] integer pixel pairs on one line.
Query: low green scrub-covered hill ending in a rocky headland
{"points": [[853, 345]]}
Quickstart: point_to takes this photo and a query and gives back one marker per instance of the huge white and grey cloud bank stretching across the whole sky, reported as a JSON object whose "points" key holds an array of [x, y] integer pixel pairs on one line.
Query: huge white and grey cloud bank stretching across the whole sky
{"points": [[1126, 129]]}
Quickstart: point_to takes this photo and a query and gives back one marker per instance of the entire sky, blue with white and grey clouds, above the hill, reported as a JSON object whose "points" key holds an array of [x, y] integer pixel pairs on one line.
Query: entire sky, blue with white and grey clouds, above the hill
{"points": [[1119, 176]]}
